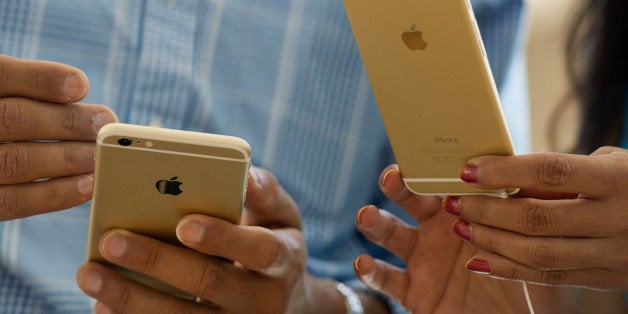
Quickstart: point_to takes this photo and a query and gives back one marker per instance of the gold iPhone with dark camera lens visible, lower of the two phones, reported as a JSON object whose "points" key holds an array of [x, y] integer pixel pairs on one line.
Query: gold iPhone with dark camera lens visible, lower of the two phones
{"points": [[146, 179]]}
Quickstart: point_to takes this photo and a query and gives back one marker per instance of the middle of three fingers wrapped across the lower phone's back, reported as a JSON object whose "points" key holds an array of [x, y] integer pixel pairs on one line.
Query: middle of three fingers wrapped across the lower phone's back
{"points": [[210, 278]]}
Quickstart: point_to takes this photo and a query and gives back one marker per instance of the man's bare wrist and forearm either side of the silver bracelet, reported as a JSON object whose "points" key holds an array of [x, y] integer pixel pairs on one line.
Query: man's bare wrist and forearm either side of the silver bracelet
{"points": [[323, 297]]}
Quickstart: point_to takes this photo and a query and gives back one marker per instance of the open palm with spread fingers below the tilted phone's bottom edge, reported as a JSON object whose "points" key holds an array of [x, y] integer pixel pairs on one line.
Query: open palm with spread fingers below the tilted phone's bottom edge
{"points": [[436, 280]]}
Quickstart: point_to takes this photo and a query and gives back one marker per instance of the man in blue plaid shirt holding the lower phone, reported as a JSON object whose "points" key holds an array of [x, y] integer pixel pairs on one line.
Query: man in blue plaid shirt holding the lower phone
{"points": [[284, 75]]}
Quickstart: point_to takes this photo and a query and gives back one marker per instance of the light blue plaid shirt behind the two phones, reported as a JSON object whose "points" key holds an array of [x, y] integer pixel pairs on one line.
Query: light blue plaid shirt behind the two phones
{"points": [[284, 74]]}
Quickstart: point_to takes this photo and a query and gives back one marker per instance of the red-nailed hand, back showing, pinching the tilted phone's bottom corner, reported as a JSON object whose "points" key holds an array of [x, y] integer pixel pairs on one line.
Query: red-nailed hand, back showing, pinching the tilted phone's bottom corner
{"points": [[567, 226]]}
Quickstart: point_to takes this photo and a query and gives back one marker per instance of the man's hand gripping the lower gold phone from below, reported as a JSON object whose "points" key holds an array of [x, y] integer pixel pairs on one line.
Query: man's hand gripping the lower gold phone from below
{"points": [[256, 267]]}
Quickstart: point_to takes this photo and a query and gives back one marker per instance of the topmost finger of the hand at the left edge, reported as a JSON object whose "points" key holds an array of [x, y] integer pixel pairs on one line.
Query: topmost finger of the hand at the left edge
{"points": [[47, 81]]}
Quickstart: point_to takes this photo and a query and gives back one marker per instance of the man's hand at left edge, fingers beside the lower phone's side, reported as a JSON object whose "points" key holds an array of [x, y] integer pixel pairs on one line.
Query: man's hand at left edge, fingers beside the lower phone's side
{"points": [[47, 150]]}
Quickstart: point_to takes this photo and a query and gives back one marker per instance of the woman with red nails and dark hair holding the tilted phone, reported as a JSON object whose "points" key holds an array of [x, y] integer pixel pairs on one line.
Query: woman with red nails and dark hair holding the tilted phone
{"points": [[565, 228]]}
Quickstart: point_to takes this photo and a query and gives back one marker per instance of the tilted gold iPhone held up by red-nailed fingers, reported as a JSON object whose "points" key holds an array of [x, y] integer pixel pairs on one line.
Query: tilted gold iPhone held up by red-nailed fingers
{"points": [[435, 92]]}
